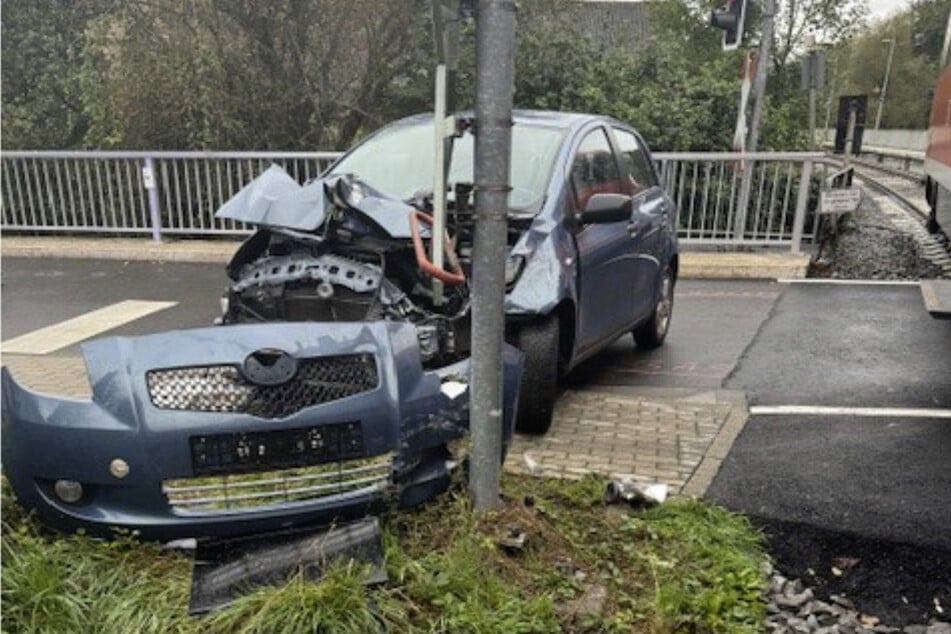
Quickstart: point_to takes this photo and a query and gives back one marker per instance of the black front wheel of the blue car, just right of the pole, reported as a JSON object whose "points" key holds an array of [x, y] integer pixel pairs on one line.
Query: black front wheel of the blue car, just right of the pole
{"points": [[539, 386]]}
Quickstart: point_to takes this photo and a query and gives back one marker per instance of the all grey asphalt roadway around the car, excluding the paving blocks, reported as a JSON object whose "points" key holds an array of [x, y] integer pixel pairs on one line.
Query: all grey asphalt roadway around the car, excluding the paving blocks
{"points": [[874, 487]]}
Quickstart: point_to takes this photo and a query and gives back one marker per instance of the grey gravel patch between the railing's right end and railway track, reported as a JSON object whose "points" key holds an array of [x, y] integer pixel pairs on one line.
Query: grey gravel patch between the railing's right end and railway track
{"points": [[870, 247]]}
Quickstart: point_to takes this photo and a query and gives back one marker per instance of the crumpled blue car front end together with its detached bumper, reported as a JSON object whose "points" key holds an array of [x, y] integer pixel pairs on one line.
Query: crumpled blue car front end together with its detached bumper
{"points": [[336, 385]]}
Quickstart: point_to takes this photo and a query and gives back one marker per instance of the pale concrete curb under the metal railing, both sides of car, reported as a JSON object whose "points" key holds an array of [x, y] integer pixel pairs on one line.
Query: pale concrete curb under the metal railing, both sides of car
{"points": [[693, 265]]}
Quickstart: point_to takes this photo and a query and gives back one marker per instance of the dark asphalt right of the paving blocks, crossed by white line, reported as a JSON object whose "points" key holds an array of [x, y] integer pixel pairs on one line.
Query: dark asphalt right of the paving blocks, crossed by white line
{"points": [[873, 489]]}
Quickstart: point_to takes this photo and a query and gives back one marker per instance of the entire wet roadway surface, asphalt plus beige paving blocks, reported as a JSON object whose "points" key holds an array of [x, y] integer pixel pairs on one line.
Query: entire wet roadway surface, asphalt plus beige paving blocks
{"points": [[875, 485]]}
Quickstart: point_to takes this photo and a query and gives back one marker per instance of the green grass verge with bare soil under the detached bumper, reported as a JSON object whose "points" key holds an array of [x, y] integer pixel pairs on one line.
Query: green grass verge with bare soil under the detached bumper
{"points": [[685, 566]]}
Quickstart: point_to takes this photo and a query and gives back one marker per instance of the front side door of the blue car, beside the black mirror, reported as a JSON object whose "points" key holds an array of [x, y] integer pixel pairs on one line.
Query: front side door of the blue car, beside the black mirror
{"points": [[606, 266]]}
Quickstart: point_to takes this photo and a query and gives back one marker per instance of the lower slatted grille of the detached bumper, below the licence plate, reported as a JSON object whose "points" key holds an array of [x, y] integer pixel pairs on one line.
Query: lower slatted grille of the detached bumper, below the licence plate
{"points": [[229, 493]]}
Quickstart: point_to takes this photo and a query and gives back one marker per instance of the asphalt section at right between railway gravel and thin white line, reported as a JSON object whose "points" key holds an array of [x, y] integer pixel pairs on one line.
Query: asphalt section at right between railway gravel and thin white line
{"points": [[847, 344]]}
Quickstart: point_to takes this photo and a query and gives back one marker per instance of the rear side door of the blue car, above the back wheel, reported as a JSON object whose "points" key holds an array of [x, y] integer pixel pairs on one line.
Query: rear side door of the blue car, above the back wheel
{"points": [[650, 218]]}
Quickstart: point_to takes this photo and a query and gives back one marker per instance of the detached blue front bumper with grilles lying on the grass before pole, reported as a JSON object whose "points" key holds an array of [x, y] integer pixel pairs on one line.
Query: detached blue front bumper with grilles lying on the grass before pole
{"points": [[177, 441]]}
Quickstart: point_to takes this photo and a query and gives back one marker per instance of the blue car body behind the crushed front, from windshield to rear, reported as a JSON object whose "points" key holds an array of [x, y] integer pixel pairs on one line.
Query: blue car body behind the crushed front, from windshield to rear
{"points": [[592, 240]]}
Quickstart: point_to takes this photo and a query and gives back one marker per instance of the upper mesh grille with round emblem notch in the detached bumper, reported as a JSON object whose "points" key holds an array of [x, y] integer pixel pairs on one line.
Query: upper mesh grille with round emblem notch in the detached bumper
{"points": [[222, 388]]}
